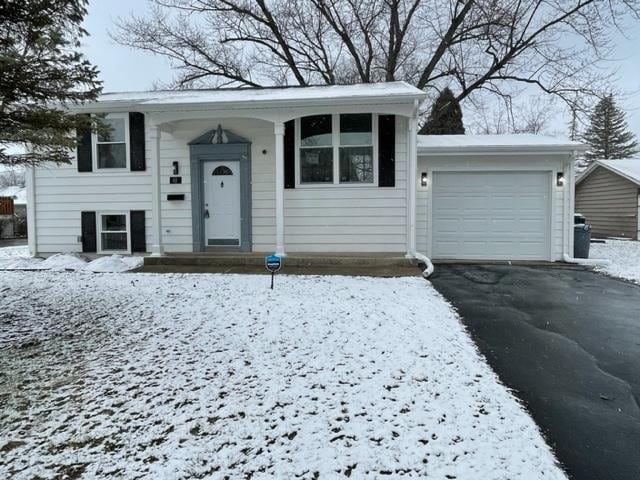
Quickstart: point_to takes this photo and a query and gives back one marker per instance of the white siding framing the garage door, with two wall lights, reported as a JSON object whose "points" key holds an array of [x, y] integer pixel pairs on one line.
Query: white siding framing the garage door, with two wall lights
{"points": [[488, 163]]}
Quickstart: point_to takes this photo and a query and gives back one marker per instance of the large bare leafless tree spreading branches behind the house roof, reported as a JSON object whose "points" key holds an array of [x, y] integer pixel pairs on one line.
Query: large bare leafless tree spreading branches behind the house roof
{"points": [[472, 46]]}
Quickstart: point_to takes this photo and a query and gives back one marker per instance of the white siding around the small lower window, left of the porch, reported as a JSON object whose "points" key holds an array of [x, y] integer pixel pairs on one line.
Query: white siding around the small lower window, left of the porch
{"points": [[62, 193]]}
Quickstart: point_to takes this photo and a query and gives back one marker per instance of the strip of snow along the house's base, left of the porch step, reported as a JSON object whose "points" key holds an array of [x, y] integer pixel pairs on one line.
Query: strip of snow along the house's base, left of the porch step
{"points": [[17, 258]]}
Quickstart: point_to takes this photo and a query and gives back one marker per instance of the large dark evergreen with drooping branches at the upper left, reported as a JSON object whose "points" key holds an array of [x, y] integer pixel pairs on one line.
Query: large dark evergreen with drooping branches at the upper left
{"points": [[41, 74]]}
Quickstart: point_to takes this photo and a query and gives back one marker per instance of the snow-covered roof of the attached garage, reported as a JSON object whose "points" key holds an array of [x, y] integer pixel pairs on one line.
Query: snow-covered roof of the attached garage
{"points": [[465, 143]]}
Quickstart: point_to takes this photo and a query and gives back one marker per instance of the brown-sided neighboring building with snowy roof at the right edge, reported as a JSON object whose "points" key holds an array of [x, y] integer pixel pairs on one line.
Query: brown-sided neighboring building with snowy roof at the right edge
{"points": [[608, 195]]}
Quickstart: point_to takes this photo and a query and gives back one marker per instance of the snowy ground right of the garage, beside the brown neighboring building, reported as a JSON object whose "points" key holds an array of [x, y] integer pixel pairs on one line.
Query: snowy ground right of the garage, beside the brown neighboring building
{"points": [[623, 257]]}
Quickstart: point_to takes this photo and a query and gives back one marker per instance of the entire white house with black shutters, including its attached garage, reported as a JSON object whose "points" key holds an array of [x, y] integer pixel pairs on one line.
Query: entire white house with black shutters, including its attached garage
{"points": [[302, 169]]}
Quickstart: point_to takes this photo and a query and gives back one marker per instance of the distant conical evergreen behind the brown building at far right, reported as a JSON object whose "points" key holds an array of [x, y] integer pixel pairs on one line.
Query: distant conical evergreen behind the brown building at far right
{"points": [[608, 135]]}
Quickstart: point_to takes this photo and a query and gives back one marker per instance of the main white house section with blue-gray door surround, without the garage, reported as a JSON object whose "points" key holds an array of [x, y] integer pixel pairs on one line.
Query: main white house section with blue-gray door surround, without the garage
{"points": [[321, 169]]}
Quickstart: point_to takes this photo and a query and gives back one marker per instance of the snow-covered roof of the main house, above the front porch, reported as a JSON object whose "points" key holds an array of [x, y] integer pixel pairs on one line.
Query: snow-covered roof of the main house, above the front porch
{"points": [[271, 94]]}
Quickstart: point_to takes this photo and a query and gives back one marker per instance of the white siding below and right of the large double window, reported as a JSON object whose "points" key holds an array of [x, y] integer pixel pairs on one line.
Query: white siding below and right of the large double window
{"points": [[350, 219]]}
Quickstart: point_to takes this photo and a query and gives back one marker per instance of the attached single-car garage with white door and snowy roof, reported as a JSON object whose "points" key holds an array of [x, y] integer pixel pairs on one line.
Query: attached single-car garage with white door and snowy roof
{"points": [[489, 197]]}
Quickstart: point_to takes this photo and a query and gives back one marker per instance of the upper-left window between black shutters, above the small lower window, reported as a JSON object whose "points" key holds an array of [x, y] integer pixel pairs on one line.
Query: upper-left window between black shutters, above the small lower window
{"points": [[111, 145]]}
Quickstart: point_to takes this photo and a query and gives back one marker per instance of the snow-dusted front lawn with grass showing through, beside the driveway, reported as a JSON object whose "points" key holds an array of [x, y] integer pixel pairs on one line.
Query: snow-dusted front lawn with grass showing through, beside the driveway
{"points": [[216, 376]]}
